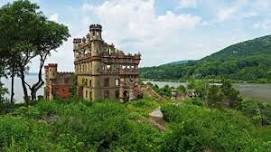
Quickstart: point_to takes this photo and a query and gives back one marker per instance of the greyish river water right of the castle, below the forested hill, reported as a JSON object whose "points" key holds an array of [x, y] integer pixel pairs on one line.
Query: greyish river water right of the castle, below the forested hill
{"points": [[255, 91]]}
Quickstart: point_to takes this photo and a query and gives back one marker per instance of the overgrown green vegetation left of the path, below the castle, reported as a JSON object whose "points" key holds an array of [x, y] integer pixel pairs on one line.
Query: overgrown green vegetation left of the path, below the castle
{"points": [[77, 126]]}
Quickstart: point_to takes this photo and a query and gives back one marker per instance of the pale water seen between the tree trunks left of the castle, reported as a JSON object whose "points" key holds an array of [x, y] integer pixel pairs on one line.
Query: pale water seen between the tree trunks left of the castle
{"points": [[18, 87]]}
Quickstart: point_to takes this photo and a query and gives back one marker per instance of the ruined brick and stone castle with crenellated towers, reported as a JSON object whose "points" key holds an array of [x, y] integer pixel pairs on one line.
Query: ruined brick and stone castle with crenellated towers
{"points": [[101, 71]]}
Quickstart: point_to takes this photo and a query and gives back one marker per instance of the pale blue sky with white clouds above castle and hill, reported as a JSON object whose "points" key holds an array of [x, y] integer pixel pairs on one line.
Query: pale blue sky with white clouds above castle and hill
{"points": [[161, 30]]}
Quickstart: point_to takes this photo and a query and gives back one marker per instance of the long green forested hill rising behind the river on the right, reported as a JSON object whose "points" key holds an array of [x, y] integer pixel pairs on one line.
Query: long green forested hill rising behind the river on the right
{"points": [[247, 61]]}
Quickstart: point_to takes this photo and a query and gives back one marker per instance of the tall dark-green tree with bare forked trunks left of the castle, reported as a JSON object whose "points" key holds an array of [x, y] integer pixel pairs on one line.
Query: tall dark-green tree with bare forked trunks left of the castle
{"points": [[26, 34]]}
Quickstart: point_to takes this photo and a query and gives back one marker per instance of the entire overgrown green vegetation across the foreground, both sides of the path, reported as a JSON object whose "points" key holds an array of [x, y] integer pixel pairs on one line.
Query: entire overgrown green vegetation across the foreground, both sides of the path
{"points": [[111, 126]]}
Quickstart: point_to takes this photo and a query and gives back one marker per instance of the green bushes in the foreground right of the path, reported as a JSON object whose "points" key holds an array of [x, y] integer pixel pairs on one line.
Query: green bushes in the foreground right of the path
{"points": [[200, 129]]}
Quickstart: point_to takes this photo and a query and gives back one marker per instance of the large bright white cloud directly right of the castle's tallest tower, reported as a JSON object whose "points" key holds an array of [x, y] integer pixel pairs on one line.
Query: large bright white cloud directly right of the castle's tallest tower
{"points": [[134, 26]]}
